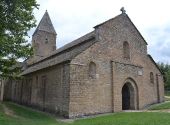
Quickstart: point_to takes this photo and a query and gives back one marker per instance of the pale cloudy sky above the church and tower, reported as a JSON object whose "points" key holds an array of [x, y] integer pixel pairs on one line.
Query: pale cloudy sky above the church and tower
{"points": [[74, 18]]}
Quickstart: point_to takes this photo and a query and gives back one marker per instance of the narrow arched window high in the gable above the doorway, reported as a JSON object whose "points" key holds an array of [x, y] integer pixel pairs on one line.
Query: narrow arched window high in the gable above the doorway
{"points": [[126, 50]]}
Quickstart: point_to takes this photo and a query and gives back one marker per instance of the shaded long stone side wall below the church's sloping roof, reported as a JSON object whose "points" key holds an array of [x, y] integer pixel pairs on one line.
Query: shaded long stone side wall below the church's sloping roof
{"points": [[47, 90]]}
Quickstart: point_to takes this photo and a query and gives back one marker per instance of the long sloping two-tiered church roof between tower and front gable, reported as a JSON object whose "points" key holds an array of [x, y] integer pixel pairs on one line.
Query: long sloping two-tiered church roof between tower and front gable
{"points": [[65, 53]]}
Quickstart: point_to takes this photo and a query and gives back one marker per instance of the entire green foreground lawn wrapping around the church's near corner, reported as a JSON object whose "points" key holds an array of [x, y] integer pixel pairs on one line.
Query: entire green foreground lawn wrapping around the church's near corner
{"points": [[12, 114]]}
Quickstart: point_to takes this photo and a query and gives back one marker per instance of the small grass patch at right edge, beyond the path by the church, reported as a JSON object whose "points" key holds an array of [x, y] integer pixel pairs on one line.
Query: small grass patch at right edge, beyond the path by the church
{"points": [[165, 105]]}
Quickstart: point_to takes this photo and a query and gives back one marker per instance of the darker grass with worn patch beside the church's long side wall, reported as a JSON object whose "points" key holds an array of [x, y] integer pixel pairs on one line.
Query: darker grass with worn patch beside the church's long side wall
{"points": [[24, 116]]}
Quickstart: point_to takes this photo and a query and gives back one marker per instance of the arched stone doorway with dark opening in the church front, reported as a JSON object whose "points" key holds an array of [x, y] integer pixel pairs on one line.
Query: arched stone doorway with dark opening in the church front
{"points": [[130, 98]]}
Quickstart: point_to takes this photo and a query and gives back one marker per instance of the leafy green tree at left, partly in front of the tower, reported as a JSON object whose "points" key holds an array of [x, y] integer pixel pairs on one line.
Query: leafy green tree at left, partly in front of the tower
{"points": [[16, 17]]}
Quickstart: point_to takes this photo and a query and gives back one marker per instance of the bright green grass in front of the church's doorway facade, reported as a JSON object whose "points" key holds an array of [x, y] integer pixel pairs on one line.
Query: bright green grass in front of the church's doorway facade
{"points": [[133, 118]]}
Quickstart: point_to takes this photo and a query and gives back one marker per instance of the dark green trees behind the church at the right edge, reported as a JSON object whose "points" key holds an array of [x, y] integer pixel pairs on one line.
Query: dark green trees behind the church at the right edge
{"points": [[165, 68]]}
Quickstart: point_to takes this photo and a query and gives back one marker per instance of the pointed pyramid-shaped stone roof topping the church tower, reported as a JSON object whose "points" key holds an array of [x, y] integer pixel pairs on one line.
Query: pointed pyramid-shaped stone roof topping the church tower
{"points": [[45, 24]]}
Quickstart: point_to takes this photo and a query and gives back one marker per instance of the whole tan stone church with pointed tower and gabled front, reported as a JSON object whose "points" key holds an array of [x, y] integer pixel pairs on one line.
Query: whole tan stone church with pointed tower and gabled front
{"points": [[106, 70]]}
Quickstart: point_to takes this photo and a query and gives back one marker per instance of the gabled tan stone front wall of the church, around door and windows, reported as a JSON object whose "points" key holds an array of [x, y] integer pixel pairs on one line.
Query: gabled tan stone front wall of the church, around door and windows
{"points": [[103, 94]]}
